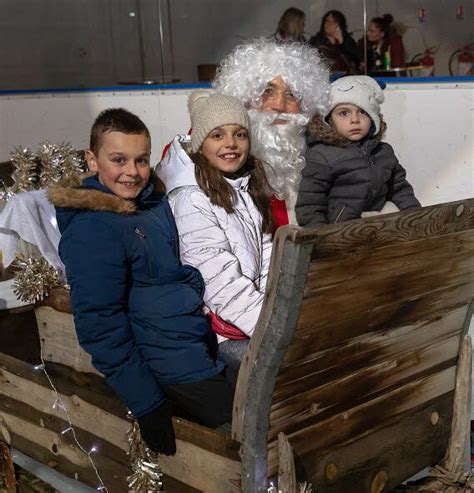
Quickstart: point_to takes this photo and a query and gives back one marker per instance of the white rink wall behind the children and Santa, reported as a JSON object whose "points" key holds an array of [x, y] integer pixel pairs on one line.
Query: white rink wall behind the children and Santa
{"points": [[430, 126]]}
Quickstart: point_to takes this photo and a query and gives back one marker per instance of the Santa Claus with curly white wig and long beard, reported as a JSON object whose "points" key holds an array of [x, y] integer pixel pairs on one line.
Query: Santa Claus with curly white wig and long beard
{"points": [[282, 85]]}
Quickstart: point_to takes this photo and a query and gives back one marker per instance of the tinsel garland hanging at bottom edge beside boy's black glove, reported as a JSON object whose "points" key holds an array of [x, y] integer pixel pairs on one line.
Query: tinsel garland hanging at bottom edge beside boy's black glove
{"points": [[146, 476]]}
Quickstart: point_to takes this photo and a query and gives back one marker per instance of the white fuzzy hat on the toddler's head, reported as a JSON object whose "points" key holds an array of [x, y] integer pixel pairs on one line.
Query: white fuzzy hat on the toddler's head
{"points": [[361, 91]]}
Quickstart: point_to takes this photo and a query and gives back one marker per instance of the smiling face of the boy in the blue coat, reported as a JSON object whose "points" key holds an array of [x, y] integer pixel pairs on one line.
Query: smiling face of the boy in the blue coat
{"points": [[122, 163]]}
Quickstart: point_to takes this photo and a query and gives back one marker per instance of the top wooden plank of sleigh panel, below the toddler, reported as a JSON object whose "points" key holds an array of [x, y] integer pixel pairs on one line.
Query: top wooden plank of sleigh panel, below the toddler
{"points": [[406, 226]]}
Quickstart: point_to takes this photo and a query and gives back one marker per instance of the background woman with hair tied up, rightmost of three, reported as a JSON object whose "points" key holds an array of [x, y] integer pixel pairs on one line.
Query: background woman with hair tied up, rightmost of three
{"points": [[384, 47]]}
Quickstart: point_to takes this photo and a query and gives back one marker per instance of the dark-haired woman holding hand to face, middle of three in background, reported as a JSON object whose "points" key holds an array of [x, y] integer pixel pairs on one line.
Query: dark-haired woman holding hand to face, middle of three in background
{"points": [[336, 44]]}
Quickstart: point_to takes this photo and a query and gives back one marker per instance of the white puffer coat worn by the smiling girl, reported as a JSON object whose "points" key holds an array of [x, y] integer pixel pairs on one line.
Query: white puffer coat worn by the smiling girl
{"points": [[230, 250]]}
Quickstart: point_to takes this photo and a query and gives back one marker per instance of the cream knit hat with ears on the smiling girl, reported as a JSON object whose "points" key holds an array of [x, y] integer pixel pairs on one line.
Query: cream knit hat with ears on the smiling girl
{"points": [[209, 109]]}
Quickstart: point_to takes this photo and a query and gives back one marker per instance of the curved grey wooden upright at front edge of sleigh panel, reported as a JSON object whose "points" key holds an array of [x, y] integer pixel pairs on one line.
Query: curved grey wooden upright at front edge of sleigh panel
{"points": [[269, 342]]}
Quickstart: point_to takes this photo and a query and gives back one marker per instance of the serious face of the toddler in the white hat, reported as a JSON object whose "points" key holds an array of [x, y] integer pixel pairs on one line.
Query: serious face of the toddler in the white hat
{"points": [[350, 121]]}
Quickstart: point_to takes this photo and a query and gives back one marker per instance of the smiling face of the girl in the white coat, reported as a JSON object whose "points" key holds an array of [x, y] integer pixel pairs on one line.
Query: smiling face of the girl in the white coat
{"points": [[227, 148]]}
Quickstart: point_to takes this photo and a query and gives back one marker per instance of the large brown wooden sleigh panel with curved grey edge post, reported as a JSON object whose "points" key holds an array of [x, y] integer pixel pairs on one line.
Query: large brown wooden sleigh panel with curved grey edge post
{"points": [[354, 357]]}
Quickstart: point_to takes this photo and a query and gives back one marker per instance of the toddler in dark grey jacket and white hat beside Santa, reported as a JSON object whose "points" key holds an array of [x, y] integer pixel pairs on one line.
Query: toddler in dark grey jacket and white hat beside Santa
{"points": [[349, 172]]}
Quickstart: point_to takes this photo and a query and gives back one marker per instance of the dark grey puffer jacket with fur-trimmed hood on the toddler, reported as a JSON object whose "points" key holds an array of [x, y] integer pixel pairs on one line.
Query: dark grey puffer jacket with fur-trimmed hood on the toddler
{"points": [[342, 179]]}
